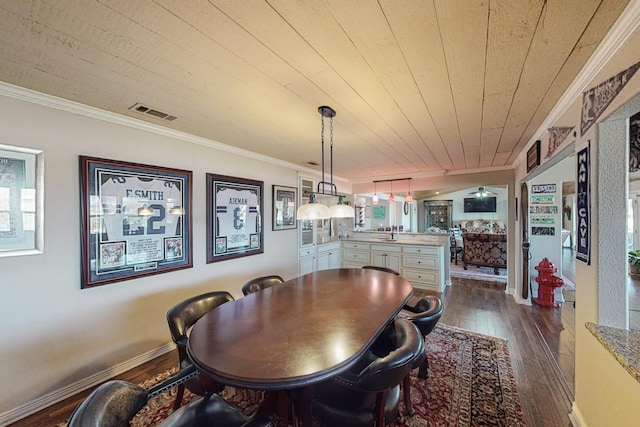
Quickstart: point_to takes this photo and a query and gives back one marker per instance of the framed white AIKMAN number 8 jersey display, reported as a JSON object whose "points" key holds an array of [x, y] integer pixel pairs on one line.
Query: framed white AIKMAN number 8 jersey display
{"points": [[234, 217]]}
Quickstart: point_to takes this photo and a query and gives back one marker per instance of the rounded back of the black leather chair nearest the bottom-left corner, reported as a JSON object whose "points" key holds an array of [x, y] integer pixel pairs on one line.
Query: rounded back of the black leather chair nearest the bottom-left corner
{"points": [[112, 404]]}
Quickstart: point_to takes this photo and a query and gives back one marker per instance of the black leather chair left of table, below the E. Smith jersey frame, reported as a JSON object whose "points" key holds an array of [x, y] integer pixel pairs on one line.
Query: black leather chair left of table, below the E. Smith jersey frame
{"points": [[181, 318]]}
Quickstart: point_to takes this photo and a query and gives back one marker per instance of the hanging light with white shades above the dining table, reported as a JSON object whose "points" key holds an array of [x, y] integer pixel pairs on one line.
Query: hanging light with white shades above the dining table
{"points": [[314, 210]]}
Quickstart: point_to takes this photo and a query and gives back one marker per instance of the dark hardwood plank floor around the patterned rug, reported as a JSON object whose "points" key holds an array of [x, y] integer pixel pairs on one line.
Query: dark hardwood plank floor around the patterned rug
{"points": [[536, 336]]}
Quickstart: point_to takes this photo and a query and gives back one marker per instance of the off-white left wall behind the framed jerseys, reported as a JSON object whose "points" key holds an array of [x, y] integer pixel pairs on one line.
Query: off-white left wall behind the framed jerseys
{"points": [[54, 333]]}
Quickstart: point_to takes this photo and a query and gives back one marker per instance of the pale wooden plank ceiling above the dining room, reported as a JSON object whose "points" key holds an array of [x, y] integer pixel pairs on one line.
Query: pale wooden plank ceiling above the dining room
{"points": [[418, 86]]}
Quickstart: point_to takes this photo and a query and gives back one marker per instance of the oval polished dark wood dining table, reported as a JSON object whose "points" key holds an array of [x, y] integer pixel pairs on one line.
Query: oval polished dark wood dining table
{"points": [[291, 336]]}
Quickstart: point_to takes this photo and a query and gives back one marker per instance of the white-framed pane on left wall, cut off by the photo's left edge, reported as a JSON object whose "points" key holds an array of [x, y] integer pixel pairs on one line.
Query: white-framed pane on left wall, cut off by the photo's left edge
{"points": [[21, 200]]}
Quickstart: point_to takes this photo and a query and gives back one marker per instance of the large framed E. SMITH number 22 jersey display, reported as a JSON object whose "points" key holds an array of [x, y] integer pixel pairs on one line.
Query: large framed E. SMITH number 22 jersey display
{"points": [[136, 220]]}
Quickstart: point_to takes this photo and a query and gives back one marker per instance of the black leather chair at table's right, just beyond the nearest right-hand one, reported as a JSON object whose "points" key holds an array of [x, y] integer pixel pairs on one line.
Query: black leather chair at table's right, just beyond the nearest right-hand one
{"points": [[425, 315]]}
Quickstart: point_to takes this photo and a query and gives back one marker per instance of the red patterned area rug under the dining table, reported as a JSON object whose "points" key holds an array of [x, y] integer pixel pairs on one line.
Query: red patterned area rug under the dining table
{"points": [[471, 383]]}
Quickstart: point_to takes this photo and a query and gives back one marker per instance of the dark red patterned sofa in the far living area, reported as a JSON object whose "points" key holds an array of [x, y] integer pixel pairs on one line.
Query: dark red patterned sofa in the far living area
{"points": [[484, 244]]}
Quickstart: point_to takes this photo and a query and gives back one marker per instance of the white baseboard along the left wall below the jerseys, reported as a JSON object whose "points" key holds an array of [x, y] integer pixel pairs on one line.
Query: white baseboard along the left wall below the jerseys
{"points": [[59, 395]]}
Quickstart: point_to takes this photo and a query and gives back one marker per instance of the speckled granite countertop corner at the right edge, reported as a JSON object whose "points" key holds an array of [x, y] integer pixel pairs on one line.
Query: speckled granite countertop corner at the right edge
{"points": [[623, 344]]}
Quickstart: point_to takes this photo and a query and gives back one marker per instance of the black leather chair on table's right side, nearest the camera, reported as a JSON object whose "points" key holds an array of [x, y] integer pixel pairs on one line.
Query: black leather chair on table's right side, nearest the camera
{"points": [[368, 393]]}
